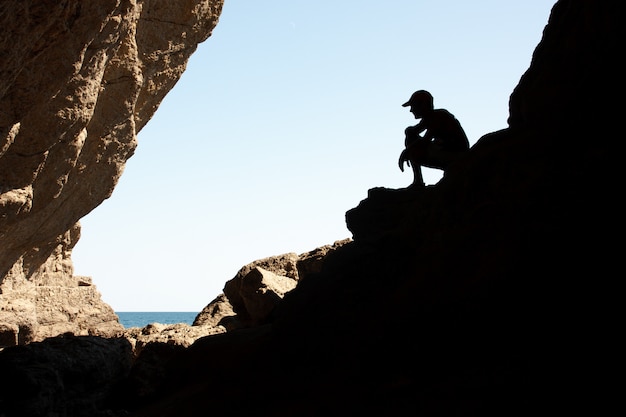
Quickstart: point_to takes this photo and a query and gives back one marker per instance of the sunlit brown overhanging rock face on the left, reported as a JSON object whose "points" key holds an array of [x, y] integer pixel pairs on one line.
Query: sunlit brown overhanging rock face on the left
{"points": [[78, 81]]}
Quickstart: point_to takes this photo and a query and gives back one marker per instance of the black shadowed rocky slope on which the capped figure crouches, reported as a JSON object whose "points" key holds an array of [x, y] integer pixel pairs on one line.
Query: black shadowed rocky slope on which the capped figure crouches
{"points": [[490, 293]]}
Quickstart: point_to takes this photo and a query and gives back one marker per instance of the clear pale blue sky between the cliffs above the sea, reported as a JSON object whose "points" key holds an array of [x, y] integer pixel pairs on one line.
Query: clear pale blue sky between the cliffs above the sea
{"points": [[284, 119]]}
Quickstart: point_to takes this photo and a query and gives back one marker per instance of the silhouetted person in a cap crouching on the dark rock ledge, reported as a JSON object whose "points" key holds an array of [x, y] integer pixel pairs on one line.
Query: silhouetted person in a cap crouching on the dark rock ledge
{"points": [[443, 142]]}
